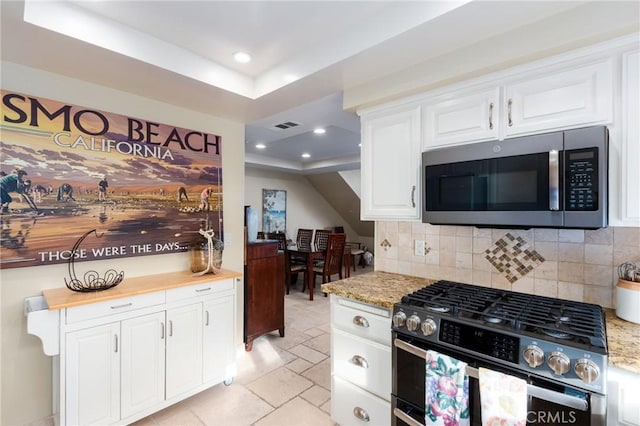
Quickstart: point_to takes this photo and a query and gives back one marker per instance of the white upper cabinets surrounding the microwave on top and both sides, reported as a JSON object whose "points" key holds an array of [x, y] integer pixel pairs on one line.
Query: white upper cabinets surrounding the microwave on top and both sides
{"points": [[596, 85]]}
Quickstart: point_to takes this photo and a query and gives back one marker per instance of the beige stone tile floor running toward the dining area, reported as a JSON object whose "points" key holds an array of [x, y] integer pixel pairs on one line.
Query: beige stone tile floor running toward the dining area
{"points": [[282, 381]]}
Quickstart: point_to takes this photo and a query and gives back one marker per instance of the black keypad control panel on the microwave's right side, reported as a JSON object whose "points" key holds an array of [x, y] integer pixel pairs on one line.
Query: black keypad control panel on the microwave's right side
{"points": [[581, 186]]}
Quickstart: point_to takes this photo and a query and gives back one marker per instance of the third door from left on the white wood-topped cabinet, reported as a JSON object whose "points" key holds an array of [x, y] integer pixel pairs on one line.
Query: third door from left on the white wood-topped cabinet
{"points": [[184, 349]]}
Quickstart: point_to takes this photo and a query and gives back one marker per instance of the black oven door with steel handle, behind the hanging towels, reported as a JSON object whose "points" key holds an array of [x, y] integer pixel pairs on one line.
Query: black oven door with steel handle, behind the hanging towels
{"points": [[548, 403]]}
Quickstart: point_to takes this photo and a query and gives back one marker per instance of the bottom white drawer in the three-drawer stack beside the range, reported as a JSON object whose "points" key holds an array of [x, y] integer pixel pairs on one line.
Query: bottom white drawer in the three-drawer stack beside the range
{"points": [[351, 405]]}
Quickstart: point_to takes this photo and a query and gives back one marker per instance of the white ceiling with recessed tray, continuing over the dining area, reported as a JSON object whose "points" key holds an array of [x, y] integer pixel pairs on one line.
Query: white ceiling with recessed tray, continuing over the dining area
{"points": [[305, 54]]}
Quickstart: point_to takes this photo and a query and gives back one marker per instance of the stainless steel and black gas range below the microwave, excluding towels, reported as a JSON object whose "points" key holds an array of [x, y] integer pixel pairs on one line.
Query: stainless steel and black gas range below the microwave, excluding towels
{"points": [[558, 346]]}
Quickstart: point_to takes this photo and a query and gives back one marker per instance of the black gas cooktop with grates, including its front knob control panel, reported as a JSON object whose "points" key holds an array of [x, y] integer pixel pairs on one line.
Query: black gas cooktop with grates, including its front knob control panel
{"points": [[553, 339]]}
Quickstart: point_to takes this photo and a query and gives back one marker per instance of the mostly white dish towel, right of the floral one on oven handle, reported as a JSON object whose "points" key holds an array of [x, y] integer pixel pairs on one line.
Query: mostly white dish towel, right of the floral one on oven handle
{"points": [[503, 399]]}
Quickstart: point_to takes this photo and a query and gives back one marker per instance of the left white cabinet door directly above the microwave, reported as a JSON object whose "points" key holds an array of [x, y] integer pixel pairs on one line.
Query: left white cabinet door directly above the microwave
{"points": [[462, 118]]}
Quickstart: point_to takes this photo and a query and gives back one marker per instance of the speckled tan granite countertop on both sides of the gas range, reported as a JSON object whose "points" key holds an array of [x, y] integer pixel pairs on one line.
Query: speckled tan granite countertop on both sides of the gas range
{"points": [[384, 289]]}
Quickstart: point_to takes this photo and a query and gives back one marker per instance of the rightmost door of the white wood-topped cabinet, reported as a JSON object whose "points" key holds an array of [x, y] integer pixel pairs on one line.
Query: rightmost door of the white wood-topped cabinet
{"points": [[218, 342]]}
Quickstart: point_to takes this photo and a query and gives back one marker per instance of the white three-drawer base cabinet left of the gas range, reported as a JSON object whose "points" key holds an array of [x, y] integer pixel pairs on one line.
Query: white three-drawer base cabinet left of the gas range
{"points": [[360, 363]]}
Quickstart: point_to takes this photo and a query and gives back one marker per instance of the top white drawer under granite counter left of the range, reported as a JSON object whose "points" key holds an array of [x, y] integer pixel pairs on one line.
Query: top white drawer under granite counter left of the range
{"points": [[371, 324]]}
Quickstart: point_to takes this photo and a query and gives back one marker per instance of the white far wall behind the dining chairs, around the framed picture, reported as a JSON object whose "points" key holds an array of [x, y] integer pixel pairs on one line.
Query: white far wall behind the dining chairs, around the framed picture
{"points": [[306, 208]]}
